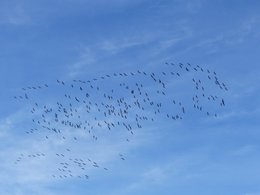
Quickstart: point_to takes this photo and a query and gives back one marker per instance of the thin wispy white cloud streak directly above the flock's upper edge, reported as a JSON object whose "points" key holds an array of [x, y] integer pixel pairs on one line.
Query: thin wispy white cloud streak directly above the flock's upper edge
{"points": [[110, 49]]}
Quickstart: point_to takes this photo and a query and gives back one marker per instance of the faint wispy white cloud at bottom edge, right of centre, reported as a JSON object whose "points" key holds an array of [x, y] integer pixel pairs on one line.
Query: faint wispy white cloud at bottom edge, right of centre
{"points": [[179, 168]]}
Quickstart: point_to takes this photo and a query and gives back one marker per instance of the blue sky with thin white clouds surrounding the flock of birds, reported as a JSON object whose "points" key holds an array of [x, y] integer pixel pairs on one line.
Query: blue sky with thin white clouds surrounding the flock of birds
{"points": [[42, 41]]}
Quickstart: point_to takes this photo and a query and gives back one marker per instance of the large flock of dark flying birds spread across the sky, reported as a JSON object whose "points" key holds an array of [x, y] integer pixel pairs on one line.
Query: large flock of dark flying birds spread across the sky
{"points": [[86, 111]]}
